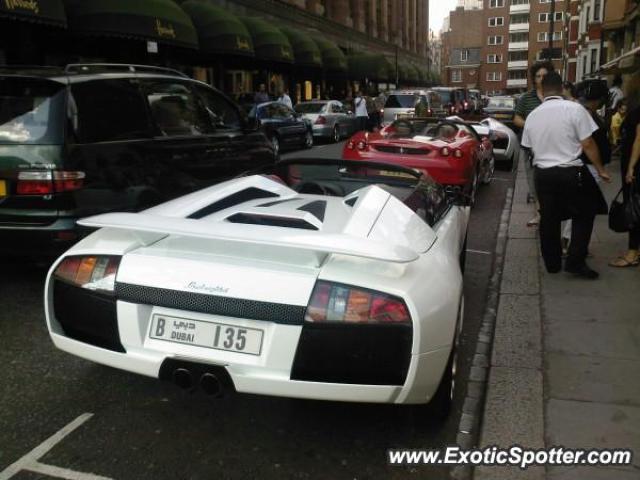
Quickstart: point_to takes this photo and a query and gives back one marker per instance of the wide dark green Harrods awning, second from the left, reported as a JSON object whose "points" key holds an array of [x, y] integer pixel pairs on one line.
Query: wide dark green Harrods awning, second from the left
{"points": [[162, 21]]}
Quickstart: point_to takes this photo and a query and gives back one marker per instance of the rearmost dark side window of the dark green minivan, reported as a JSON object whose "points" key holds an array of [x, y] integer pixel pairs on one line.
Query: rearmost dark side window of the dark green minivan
{"points": [[108, 110]]}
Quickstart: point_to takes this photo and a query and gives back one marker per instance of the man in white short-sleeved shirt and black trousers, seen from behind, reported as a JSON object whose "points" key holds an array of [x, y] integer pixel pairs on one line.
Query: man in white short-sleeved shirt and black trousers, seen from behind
{"points": [[557, 132]]}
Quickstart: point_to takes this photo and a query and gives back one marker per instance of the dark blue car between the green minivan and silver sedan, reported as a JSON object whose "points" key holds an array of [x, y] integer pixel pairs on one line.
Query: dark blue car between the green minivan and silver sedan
{"points": [[284, 127]]}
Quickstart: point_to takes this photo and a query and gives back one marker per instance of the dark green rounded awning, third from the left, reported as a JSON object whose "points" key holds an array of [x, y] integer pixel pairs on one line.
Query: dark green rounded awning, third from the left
{"points": [[219, 31]]}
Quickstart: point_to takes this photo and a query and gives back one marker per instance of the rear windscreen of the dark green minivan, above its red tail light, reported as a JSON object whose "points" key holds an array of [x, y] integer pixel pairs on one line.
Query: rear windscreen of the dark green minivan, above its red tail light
{"points": [[31, 111]]}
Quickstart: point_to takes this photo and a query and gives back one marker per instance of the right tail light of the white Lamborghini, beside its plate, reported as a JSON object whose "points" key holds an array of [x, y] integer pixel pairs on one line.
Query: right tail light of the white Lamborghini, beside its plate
{"points": [[333, 302]]}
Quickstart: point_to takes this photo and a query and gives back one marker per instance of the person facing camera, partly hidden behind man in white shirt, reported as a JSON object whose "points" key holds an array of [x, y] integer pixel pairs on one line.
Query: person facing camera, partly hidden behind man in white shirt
{"points": [[527, 104]]}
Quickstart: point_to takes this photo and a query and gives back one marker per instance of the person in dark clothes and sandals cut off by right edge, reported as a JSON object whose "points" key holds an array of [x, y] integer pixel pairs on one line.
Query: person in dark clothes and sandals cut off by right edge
{"points": [[630, 169]]}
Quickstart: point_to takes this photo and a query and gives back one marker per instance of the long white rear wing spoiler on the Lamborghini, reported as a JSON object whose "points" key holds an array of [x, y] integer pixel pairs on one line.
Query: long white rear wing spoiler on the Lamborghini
{"points": [[318, 242]]}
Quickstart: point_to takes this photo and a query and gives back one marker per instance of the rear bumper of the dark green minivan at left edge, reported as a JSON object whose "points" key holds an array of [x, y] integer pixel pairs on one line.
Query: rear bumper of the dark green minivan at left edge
{"points": [[51, 239]]}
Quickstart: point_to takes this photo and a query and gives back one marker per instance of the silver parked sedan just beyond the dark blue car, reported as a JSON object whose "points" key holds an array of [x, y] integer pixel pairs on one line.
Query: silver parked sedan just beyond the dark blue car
{"points": [[329, 118]]}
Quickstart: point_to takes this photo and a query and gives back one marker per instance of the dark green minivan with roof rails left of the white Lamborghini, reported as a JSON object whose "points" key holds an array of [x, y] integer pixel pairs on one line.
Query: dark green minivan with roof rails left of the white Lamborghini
{"points": [[88, 139]]}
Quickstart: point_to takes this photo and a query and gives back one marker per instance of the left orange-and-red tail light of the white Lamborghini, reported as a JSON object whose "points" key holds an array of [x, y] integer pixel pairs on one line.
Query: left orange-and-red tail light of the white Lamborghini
{"points": [[90, 272]]}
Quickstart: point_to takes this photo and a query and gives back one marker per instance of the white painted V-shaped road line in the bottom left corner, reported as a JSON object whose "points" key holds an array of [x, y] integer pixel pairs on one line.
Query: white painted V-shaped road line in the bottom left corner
{"points": [[30, 460]]}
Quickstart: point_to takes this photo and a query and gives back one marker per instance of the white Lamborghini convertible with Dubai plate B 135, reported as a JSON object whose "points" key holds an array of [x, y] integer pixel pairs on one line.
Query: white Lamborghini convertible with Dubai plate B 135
{"points": [[331, 280]]}
